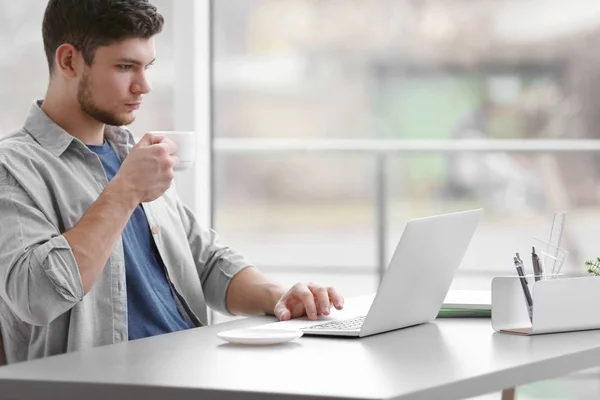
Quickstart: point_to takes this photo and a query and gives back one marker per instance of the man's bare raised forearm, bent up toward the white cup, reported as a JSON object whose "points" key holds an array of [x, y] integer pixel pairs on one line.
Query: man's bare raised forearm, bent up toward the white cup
{"points": [[94, 236]]}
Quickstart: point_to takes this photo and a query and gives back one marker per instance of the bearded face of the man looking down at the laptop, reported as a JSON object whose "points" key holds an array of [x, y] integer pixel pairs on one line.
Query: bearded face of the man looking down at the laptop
{"points": [[111, 89]]}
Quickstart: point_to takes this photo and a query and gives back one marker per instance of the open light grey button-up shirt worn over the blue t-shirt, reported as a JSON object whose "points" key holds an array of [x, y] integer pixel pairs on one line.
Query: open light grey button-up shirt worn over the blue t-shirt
{"points": [[48, 180]]}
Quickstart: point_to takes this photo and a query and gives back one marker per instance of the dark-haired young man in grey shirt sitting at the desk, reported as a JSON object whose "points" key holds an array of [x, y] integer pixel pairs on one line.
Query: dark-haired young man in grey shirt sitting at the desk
{"points": [[95, 247]]}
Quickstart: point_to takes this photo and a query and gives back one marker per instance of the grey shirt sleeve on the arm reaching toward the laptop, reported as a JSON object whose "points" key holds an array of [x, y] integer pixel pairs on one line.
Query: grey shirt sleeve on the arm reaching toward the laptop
{"points": [[216, 263]]}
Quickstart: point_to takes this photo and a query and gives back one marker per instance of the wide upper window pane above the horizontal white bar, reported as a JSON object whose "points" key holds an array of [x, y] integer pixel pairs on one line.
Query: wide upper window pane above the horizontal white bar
{"points": [[406, 69]]}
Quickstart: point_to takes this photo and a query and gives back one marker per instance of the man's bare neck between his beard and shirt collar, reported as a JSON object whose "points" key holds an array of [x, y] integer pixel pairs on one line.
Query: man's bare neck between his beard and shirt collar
{"points": [[66, 113]]}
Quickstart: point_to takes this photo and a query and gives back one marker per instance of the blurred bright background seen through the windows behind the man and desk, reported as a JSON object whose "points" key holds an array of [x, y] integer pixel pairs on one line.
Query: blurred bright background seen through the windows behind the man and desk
{"points": [[334, 123]]}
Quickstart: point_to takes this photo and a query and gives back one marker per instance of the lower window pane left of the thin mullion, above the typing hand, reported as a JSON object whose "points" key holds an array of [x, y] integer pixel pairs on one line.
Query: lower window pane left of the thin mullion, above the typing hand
{"points": [[297, 211]]}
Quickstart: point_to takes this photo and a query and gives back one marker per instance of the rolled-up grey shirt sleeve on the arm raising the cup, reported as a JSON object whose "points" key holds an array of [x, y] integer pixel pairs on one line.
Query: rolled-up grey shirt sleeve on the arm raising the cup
{"points": [[39, 276]]}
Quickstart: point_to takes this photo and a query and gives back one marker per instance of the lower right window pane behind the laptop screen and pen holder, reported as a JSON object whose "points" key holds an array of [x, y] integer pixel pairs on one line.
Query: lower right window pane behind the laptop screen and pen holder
{"points": [[519, 194]]}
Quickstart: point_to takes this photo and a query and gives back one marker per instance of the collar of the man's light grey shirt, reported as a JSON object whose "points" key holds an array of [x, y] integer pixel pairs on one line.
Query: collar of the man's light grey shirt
{"points": [[56, 140]]}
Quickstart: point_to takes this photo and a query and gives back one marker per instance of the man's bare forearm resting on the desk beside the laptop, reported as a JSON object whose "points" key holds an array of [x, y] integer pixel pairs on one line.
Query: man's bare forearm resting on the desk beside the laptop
{"points": [[250, 292]]}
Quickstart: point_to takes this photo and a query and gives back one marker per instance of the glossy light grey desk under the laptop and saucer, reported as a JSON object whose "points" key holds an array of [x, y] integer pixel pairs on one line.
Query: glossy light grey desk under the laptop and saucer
{"points": [[450, 359]]}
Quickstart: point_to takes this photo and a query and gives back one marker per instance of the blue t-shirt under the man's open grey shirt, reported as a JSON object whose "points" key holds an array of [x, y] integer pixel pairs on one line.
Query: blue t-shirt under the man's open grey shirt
{"points": [[151, 307]]}
